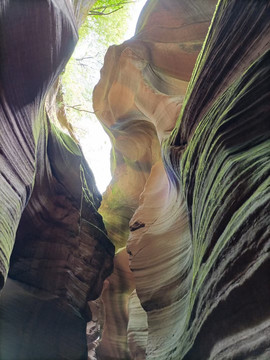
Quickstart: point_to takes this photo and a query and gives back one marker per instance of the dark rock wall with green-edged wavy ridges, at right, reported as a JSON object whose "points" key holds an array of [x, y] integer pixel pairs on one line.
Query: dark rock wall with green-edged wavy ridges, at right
{"points": [[223, 166]]}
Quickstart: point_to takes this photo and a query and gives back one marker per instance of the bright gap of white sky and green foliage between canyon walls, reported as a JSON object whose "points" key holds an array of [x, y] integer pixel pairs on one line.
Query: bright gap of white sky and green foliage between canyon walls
{"points": [[106, 24]]}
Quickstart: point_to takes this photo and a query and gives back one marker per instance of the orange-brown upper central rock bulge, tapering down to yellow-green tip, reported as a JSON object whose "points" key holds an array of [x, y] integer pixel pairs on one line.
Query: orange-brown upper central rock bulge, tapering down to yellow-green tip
{"points": [[150, 74]]}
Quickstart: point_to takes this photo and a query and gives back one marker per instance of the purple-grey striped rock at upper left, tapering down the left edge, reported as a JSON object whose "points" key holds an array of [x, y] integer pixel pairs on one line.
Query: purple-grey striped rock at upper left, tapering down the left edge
{"points": [[29, 66]]}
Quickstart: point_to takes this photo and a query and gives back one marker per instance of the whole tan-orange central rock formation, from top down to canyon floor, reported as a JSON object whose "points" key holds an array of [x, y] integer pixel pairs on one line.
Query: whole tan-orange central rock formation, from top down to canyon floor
{"points": [[150, 74]]}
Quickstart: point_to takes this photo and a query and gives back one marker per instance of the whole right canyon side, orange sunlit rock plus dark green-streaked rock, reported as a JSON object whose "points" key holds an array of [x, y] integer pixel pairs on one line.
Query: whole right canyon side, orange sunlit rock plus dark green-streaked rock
{"points": [[189, 199]]}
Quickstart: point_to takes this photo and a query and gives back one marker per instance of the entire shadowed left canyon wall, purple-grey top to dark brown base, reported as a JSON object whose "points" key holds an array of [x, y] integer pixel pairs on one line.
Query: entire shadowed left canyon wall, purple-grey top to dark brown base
{"points": [[48, 219]]}
